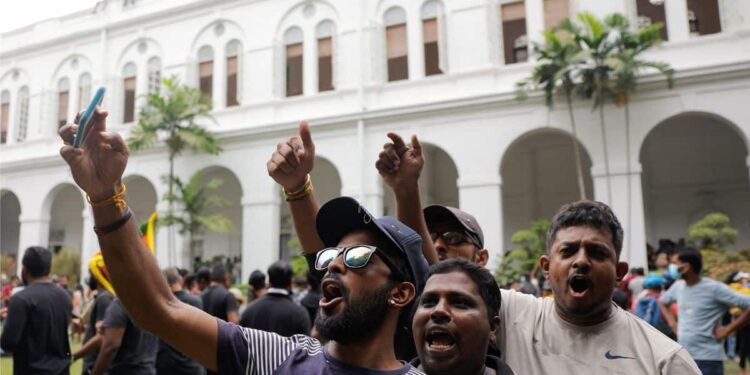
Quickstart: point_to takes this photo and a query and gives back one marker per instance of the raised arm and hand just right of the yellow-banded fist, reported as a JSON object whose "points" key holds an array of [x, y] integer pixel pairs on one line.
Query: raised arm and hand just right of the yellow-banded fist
{"points": [[400, 166]]}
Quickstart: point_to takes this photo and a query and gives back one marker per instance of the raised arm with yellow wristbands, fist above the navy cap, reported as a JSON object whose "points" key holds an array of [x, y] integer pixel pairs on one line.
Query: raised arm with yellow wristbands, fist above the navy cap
{"points": [[290, 167]]}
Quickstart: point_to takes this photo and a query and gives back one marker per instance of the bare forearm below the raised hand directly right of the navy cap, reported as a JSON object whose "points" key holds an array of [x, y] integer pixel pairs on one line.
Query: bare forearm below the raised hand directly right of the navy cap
{"points": [[409, 212]]}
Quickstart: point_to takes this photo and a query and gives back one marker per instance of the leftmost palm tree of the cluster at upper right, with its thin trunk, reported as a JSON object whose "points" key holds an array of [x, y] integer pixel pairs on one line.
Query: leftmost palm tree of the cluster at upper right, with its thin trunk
{"points": [[556, 71]]}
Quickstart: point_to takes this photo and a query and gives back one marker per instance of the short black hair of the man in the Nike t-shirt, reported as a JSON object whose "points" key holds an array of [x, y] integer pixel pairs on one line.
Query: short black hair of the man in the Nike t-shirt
{"points": [[586, 213]]}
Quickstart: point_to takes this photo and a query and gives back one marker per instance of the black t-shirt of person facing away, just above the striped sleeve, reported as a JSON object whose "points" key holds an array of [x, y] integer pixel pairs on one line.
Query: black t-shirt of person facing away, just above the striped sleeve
{"points": [[276, 312]]}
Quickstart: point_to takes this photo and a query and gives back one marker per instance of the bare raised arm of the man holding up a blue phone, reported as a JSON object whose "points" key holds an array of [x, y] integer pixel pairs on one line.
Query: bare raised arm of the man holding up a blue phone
{"points": [[97, 168]]}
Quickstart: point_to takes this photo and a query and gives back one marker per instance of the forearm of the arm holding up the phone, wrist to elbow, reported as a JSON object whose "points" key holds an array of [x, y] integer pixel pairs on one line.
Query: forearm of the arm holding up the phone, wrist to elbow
{"points": [[133, 270]]}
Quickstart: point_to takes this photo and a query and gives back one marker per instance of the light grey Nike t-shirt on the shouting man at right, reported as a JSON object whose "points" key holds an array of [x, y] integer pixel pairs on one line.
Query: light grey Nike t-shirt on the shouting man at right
{"points": [[535, 340]]}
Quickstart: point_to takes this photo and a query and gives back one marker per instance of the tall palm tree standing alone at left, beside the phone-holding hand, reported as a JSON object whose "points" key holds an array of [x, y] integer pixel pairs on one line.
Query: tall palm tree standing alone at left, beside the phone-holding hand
{"points": [[172, 114]]}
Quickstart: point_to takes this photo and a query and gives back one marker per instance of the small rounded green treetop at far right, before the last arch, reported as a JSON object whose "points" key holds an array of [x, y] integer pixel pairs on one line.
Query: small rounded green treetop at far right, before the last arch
{"points": [[713, 232]]}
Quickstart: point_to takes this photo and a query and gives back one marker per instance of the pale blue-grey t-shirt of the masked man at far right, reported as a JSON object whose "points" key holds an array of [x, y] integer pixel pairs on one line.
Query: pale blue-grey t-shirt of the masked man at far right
{"points": [[699, 310]]}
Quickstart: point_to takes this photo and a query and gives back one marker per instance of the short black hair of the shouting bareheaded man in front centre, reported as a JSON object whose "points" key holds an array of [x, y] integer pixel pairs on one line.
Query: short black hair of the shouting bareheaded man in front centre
{"points": [[485, 282]]}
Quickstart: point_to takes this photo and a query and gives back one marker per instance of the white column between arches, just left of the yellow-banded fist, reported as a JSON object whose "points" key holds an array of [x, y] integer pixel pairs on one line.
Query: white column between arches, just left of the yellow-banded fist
{"points": [[260, 234]]}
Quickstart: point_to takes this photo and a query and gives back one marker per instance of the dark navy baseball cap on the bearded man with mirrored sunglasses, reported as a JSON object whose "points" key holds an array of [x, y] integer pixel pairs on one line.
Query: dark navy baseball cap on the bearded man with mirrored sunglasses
{"points": [[342, 215]]}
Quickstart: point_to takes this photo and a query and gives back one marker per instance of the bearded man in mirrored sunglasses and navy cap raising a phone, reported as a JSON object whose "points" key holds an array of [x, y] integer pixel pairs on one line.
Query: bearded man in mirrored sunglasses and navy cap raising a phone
{"points": [[97, 167]]}
